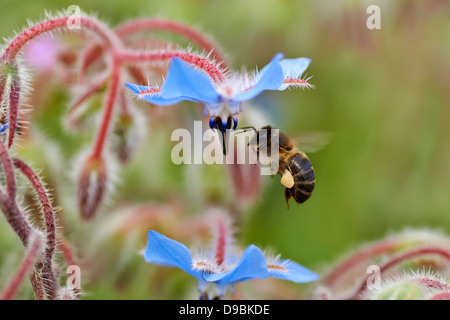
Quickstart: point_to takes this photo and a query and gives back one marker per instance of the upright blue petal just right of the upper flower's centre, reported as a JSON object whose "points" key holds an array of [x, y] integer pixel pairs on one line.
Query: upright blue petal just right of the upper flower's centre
{"points": [[270, 78]]}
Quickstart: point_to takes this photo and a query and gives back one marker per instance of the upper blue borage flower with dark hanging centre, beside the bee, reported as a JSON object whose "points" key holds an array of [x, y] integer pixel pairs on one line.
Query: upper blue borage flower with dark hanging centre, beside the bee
{"points": [[223, 100]]}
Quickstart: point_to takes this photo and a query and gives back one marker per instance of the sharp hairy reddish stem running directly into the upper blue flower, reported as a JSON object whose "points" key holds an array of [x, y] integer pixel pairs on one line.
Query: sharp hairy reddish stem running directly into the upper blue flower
{"points": [[140, 56]]}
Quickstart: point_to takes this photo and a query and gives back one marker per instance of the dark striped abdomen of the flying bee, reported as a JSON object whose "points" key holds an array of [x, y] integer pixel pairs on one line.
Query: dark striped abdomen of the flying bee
{"points": [[304, 178]]}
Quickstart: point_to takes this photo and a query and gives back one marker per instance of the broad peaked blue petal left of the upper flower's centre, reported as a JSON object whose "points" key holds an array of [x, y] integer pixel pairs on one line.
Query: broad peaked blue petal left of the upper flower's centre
{"points": [[187, 83]]}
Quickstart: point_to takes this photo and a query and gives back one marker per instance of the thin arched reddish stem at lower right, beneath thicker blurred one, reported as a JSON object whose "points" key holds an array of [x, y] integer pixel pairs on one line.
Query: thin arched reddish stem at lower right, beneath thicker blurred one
{"points": [[396, 260]]}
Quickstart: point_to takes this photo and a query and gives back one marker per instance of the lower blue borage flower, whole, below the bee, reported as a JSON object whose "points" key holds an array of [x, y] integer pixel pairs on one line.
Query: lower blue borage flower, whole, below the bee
{"points": [[252, 264]]}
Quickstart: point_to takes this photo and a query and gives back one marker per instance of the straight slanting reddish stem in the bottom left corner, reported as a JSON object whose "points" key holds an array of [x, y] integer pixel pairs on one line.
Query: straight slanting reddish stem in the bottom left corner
{"points": [[30, 257]]}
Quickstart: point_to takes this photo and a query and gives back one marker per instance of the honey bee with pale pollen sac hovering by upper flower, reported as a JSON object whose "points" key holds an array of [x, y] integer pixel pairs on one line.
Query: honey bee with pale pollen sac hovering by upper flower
{"points": [[294, 167]]}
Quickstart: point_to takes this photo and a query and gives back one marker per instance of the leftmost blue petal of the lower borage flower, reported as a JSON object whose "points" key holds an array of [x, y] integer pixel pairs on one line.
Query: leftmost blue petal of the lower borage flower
{"points": [[166, 252]]}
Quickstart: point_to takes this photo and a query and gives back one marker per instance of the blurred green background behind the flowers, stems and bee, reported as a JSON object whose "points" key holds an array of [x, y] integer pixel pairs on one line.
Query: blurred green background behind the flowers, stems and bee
{"points": [[384, 94]]}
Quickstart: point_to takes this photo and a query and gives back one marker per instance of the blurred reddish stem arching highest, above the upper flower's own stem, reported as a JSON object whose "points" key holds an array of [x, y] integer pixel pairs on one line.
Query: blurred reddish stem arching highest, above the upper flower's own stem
{"points": [[149, 24]]}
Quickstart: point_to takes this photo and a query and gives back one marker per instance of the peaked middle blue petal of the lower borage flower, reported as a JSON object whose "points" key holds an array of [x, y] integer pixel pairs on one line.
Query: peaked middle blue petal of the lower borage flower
{"points": [[251, 265]]}
